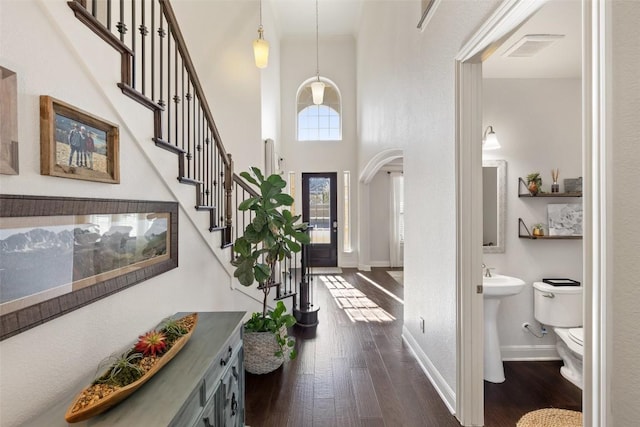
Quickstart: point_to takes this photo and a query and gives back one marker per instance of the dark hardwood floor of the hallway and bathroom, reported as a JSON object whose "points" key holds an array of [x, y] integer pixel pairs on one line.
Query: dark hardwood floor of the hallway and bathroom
{"points": [[356, 373]]}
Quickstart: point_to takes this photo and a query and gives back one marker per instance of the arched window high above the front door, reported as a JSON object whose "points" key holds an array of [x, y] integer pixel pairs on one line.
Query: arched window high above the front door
{"points": [[319, 122]]}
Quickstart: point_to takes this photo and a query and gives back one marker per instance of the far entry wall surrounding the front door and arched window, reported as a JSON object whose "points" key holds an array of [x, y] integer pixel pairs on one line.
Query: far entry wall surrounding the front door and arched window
{"points": [[337, 63]]}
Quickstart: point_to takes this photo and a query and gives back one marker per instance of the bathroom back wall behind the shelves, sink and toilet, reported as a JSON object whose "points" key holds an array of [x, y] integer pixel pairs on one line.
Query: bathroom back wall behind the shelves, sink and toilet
{"points": [[539, 125]]}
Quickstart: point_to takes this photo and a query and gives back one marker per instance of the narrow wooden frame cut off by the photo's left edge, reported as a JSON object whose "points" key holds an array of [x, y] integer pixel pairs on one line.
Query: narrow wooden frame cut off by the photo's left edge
{"points": [[8, 122]]}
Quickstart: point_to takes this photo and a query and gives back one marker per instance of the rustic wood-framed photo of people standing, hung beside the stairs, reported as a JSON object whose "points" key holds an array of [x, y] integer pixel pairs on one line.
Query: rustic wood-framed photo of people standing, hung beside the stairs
{"points": [[76, 144]]}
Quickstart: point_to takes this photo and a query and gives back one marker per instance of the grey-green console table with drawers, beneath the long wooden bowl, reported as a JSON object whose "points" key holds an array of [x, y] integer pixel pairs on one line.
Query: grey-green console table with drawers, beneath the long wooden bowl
{"points": [[202, 386]]}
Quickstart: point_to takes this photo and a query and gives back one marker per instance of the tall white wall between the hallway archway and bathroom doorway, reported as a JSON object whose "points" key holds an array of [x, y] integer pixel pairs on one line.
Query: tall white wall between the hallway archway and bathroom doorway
{"points": [[406, 99]]}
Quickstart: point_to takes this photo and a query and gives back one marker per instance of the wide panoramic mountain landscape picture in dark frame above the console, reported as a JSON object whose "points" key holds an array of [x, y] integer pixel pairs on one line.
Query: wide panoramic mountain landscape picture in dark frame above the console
{"points": [[58, 254]]}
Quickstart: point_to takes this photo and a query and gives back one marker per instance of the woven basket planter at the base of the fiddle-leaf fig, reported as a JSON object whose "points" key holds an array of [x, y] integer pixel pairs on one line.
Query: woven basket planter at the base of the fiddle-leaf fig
{"points": [[259, 352]]}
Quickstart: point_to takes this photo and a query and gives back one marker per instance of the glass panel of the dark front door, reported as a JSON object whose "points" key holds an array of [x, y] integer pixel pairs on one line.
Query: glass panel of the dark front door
{"points": [[319, 210]]}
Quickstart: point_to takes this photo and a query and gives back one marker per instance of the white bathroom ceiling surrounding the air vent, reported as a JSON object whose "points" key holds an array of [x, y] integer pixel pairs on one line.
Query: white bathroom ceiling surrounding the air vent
{"points": [[562, 59]]}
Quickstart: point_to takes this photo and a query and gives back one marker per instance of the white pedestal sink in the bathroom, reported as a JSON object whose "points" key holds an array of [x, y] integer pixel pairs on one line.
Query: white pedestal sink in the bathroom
{"points": [[494, 289]]}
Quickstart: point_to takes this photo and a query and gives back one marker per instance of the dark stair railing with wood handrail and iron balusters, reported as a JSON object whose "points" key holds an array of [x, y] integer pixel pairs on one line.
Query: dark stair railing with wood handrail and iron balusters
{"points": [[157, 72]]}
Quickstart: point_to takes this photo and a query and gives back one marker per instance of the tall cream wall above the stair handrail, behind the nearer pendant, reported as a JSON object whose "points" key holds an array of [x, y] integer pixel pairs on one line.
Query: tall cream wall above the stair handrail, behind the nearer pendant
{"points": [[220, 35]]}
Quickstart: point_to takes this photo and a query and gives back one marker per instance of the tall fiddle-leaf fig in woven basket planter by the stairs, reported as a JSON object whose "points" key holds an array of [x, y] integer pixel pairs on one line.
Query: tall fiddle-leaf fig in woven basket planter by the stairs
{"points": [[273, 235]]}
